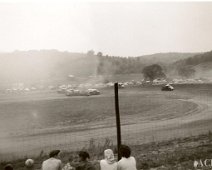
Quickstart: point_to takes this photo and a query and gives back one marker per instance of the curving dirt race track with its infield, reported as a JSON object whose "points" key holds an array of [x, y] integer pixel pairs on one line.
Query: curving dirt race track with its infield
{"points": [[41, 121]]}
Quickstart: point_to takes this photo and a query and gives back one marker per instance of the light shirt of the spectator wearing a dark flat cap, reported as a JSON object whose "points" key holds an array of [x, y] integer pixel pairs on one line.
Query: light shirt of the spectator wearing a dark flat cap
{"points": [[52, 164]]}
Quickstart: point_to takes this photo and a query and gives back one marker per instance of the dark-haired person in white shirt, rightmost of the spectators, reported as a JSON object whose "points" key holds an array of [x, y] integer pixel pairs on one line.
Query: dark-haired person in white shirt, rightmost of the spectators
{"points": [[127, 161]]}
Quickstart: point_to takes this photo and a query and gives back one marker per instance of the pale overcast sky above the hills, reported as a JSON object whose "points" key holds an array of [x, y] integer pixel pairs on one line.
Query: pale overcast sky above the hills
{"points": [[112, 27]]}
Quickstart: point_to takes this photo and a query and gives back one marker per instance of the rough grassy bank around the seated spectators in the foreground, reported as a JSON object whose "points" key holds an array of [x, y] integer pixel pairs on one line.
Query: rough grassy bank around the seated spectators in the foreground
{"points": [[175, 154]]}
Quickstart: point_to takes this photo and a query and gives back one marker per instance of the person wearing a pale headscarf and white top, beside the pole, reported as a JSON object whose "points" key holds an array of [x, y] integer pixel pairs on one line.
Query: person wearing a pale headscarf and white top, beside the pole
{"points": [[109, 162]]}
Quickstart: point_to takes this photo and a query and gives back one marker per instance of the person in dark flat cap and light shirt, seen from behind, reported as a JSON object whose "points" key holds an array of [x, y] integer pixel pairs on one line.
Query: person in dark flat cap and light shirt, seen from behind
{"points": [[53, 163]]}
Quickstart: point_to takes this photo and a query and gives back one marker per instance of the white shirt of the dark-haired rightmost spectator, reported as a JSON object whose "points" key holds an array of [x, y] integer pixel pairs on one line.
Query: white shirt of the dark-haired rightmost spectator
{"points": [[127, 163]]}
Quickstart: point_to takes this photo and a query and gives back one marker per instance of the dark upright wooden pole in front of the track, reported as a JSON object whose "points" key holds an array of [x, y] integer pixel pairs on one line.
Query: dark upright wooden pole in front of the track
{"points": [[118, 125]]}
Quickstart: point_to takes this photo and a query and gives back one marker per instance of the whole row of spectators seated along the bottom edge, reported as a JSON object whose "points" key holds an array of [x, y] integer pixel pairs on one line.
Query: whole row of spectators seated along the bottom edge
{"points": [[82, 161]]}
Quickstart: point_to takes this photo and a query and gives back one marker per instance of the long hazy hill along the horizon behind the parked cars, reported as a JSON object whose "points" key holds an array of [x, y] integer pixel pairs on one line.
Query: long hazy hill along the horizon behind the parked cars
{"points": [[36, 66]]}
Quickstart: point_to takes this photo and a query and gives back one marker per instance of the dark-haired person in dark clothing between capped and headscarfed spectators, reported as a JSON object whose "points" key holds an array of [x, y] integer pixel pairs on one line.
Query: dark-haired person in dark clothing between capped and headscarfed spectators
{"points": [[83, 162]]}
